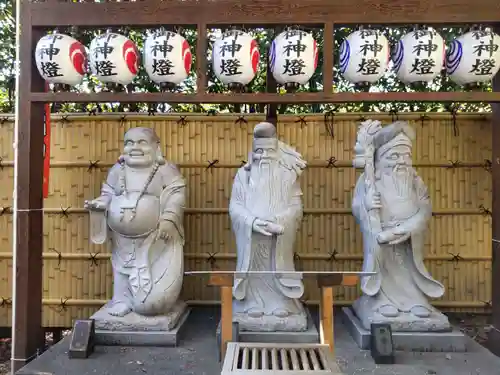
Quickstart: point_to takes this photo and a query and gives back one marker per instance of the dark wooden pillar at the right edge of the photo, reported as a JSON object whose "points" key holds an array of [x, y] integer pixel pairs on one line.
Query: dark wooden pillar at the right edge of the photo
{"points": [[494, 335]]}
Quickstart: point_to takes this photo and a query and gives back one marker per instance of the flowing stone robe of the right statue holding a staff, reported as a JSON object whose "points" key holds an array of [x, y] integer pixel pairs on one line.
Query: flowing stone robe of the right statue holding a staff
{"points": [[402, 279]]}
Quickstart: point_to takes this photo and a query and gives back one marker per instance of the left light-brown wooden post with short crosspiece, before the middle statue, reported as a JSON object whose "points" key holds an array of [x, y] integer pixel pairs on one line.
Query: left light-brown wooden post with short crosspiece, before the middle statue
{"points": [[226, 294]]}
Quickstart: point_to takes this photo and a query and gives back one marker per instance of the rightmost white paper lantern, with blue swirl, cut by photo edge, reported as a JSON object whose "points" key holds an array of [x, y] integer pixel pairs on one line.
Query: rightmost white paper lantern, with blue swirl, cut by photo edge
{"points": [[473, 57]]}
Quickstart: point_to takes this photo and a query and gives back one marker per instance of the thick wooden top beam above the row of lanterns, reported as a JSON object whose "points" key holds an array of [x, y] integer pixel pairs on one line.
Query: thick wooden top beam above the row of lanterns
{"points": [[263, 12]]}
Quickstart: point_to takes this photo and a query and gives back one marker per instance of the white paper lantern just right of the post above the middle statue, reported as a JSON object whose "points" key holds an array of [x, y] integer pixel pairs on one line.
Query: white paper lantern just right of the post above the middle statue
{"points": [[293, 57]]}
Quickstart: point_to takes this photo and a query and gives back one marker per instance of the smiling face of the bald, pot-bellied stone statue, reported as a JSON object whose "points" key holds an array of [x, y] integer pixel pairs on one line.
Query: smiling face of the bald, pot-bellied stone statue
{"points": [[139, 148]]}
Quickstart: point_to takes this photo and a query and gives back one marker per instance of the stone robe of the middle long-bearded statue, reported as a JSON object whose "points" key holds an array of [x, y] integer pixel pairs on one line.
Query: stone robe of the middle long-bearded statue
{"points": [[280, 200]]}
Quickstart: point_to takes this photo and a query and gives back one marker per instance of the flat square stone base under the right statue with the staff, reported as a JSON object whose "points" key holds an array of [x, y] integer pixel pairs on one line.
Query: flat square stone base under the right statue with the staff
{"points": [[452, 341]]}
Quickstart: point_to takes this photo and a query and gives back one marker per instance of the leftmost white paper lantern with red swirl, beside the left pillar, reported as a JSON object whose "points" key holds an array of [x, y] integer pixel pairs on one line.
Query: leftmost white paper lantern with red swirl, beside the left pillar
{"points": [[61, 59]]}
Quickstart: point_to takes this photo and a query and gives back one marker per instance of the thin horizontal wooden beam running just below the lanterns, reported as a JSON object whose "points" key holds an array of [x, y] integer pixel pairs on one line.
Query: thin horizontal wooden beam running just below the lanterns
{"points": [[267, 98]]}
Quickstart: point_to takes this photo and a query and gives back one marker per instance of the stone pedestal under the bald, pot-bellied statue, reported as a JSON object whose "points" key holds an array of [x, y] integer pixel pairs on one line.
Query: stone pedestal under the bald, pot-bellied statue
{"points": [[137, 330]]}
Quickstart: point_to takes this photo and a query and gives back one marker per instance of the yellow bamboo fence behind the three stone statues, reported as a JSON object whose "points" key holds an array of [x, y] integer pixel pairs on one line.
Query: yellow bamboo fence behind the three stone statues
{"points": [[452, 153]]}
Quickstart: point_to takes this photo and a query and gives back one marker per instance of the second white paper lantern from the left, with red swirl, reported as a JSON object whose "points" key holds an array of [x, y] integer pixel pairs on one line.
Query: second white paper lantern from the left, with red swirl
{"points": [[113, 58]]}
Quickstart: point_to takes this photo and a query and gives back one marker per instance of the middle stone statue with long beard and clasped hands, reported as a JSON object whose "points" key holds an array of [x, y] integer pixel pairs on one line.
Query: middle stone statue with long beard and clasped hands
{"points": [[266, 211]]}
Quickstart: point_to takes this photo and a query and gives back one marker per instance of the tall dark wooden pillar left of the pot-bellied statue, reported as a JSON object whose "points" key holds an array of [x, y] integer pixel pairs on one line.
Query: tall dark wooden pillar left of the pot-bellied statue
{"points": [[27, 302]]}
